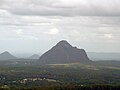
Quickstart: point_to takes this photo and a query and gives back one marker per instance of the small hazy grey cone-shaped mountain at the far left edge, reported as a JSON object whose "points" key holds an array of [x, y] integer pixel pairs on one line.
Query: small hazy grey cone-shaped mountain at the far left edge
{"points": [[7, 56]]}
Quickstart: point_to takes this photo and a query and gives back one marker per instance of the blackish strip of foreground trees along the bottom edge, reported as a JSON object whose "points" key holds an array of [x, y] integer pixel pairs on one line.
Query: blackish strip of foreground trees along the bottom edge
{"points": [[70, 87]]}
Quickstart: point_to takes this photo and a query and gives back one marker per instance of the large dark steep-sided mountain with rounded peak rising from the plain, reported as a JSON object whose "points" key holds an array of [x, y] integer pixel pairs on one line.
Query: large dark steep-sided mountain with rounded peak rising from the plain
{"points": [[63, 52]]}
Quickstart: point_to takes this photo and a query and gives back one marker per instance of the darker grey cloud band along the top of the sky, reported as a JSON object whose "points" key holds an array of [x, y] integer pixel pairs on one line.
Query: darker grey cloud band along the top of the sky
{"points": [[62, 7]]}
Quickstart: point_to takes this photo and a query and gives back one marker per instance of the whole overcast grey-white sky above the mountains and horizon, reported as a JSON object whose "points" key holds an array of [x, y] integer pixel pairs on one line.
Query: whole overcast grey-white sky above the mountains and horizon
{"points": [[34, 26]]}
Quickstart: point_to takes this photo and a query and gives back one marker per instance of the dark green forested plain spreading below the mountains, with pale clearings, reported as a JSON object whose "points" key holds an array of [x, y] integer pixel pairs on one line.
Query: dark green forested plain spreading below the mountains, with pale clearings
{"points": [[28, 75]]}
